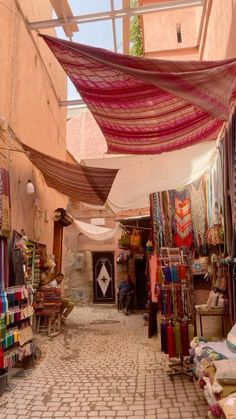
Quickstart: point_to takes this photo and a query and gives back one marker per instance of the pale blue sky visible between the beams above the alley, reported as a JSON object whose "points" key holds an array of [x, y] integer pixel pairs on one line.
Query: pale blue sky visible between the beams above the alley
{"points": [[98, 34]]}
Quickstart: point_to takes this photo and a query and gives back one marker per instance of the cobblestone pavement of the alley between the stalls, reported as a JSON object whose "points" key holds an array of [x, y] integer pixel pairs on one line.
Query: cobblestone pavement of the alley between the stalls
{"points": [[103, 366]]}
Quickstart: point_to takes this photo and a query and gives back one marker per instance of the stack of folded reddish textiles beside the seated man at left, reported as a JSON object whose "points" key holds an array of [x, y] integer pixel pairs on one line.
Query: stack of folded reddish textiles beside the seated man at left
{"points": [[48, 299]]}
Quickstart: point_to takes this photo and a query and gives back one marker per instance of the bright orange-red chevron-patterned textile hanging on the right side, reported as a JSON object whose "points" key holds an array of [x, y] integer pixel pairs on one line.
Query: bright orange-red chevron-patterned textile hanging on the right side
{"points": [[182, 220]]}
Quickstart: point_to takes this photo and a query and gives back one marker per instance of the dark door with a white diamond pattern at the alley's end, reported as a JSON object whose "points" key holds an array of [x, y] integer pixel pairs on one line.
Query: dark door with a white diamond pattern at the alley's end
{"points": [[103, 277]]}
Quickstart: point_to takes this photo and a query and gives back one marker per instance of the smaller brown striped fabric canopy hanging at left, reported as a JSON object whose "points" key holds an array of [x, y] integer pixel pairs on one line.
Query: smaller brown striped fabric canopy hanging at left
{"points": [[87, 184]]}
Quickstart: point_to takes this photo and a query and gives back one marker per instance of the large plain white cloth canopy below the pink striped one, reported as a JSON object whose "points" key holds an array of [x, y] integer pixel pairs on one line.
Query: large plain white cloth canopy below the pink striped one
{"points": [[139, 176]]}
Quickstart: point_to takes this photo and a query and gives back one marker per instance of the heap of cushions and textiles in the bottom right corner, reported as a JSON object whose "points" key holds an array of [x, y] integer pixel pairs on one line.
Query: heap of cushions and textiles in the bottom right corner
{"points": [[215, 368]]}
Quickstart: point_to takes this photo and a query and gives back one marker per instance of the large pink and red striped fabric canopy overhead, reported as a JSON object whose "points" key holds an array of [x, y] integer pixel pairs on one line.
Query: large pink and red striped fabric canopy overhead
{"points": [[149, 106]]}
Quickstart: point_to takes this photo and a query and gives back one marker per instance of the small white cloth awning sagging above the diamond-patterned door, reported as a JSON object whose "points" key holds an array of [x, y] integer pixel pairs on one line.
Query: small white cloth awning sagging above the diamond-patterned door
{"points": [[95, 232]]}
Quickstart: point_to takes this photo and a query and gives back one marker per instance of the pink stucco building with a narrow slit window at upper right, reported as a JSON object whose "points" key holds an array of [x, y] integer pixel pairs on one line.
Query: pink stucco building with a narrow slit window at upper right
{"points": [[217, 38]]}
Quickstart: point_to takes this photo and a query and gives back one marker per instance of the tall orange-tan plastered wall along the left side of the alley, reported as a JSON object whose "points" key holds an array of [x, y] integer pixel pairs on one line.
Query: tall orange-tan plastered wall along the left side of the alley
{"points": [[29, 104]]}
